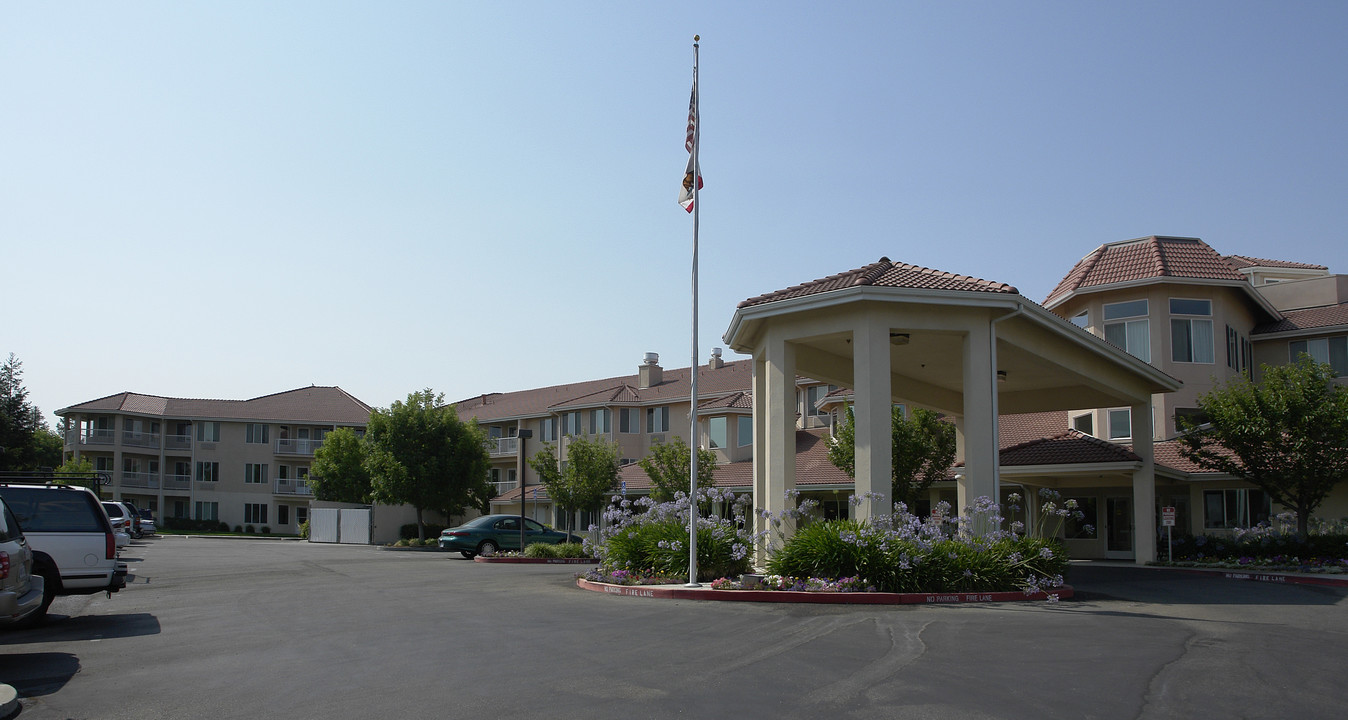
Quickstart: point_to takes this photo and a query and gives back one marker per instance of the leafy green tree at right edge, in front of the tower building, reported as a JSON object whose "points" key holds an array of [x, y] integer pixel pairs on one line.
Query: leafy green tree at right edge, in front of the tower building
{"points": [[1287, 435]]}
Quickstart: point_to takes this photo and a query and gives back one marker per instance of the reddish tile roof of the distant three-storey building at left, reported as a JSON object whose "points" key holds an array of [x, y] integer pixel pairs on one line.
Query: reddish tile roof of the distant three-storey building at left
{"points": [[327, 405]]}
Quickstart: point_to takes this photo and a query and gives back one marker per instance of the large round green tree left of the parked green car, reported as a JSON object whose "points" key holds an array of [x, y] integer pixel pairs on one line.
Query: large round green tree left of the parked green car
{"points": [[423, 455]]}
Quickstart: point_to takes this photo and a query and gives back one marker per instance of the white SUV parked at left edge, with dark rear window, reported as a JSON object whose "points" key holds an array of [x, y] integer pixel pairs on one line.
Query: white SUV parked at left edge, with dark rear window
{"points": [[72, 541]]}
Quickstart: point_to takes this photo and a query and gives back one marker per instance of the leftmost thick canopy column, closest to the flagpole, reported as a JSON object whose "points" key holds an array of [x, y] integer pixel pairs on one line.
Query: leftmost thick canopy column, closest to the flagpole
{"points": [[780, 432]]}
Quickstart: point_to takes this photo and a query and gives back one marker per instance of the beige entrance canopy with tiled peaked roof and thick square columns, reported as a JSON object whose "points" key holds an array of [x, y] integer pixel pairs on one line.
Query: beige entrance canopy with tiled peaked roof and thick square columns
{"points": [[964, 347]]}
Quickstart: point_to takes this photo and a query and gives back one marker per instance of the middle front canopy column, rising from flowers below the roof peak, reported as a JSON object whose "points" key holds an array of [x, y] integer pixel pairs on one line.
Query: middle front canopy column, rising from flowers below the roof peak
{"points": [[874, 417]]}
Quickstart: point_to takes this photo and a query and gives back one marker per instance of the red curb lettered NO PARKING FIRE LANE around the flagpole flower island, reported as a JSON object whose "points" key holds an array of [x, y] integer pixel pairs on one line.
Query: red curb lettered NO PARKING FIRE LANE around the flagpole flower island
{"points": [[820, 598]]}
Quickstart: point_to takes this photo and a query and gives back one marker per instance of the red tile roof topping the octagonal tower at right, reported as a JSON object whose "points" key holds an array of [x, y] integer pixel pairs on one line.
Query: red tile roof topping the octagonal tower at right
{"points": [[1142, 260]]}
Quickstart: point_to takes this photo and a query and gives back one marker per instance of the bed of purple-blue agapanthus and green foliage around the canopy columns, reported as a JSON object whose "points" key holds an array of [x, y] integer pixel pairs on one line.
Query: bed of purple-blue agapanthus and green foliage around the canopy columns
{"points": [[645, 545]]}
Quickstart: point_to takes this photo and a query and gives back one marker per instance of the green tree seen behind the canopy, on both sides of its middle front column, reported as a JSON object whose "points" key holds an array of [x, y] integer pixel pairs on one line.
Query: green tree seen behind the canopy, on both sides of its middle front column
{"points": [[923, 452]]}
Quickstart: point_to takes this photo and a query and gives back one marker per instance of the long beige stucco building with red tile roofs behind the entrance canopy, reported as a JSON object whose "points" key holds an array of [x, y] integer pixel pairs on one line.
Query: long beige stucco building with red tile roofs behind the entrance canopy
{"points": [[1175, 303]]}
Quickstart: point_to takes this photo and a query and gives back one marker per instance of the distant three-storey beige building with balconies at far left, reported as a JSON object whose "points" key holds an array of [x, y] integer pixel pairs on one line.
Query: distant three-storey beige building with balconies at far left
{"points": [[235, 462]]}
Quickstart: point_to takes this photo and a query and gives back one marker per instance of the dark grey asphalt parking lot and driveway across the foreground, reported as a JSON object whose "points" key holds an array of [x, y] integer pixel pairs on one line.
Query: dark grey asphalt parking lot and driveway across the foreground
{"points": [[270, 629]]}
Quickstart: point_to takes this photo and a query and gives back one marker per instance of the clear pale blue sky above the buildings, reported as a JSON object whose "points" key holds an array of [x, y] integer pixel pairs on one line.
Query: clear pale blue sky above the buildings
{"points": [[228, 200]]}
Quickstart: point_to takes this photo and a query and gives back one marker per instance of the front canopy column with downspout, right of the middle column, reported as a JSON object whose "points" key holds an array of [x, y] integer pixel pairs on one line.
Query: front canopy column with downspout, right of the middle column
{"points": [[981, 443]]}
